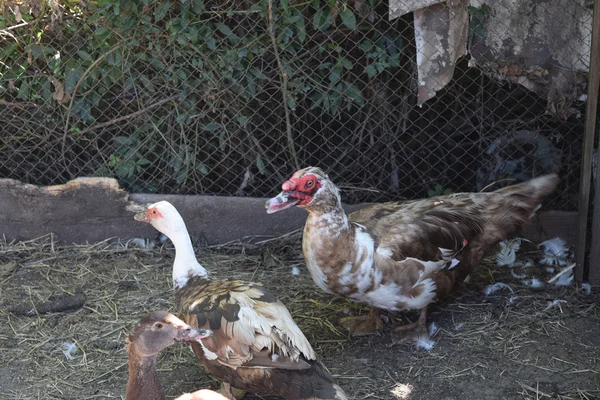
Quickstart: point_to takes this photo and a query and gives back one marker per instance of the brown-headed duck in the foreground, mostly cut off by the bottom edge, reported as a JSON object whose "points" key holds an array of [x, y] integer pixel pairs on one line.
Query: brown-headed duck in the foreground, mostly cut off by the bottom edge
{"points": [[154, 333]]}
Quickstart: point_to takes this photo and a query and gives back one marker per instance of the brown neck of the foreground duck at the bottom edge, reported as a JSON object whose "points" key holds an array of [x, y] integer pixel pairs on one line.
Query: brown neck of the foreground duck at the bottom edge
{"points": [[143, 382]]}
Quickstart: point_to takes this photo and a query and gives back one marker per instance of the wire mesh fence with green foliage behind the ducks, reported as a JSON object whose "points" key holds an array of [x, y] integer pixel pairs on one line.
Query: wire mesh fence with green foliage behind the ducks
{"points": [[230, 97]]}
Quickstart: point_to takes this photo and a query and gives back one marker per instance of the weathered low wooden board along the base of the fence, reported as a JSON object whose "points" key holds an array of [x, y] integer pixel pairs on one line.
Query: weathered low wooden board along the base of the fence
{"points": [[89, 210]]}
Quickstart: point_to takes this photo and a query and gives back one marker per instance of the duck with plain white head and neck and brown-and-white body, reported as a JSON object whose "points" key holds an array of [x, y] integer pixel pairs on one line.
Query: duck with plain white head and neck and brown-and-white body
{"points": [[255, 344]]}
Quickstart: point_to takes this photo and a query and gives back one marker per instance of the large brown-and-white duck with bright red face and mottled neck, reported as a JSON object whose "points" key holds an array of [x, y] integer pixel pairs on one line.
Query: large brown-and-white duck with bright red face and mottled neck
{"points": [[402, 255]]}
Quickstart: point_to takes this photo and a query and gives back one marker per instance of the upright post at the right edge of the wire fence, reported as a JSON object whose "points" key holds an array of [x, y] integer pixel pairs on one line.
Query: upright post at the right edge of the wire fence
{"points": [[586, 168]]}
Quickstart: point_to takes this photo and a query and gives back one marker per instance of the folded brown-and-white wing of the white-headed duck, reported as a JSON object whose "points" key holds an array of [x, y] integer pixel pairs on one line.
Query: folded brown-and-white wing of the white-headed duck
{"points": [[251, 327]]}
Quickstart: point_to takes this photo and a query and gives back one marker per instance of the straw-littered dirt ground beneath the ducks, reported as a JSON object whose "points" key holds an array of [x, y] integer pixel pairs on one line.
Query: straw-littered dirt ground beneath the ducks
{"points": [[507, 345]]}
